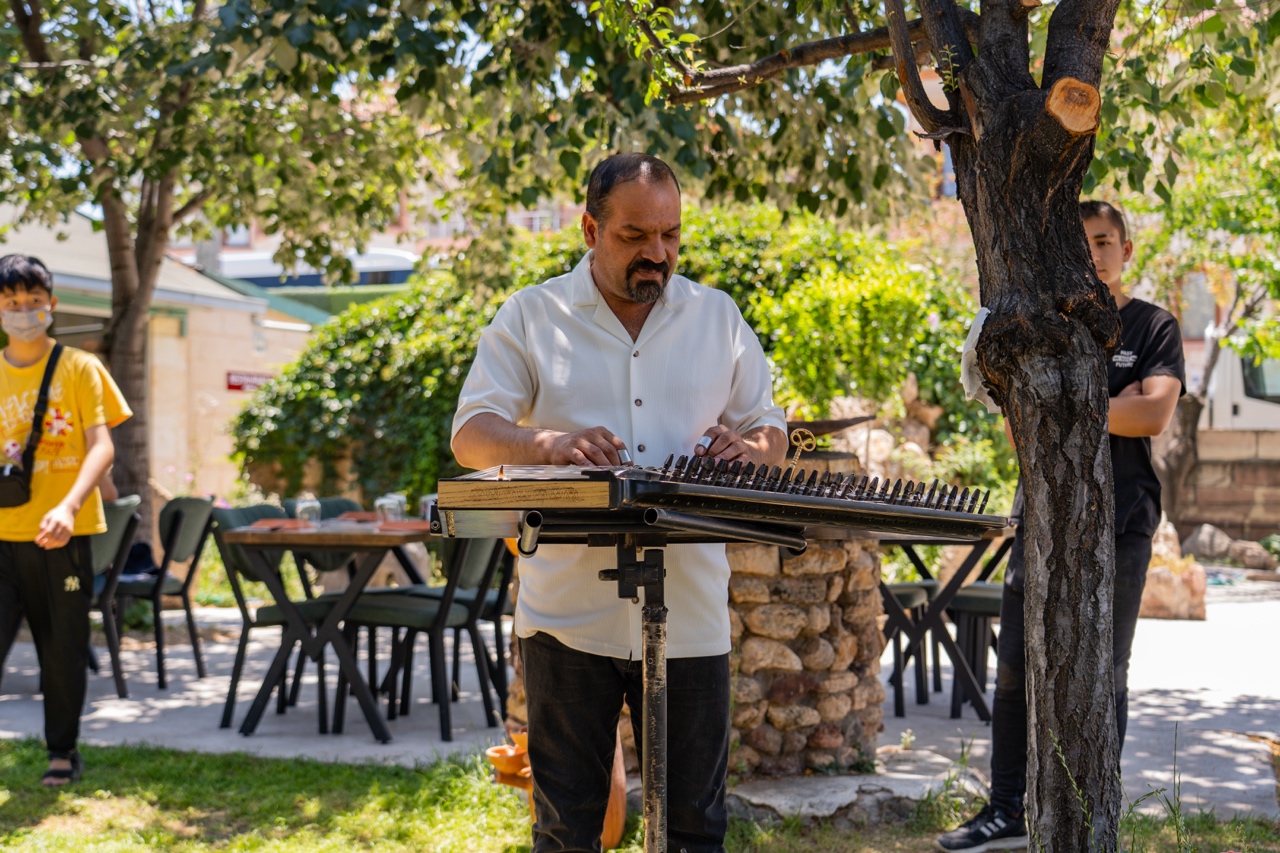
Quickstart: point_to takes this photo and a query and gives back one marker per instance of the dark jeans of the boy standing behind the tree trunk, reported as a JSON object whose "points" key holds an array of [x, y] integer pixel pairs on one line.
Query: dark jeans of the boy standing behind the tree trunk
{"points": [[1009, 710]]}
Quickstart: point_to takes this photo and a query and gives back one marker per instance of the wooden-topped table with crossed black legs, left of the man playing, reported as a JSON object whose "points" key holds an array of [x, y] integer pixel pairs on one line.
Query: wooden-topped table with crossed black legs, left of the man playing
{"points": [[371, 546]]}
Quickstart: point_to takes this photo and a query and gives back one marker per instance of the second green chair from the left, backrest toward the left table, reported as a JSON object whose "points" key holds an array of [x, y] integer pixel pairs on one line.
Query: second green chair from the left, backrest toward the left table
{"points": [[184, 528]]}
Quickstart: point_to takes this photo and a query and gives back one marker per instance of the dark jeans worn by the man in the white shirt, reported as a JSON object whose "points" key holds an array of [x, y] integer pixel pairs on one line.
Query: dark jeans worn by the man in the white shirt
{"points": [[575, 701]]}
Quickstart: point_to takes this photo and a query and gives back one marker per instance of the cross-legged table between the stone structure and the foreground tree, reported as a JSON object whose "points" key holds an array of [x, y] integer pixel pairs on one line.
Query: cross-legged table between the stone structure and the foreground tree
{"points": [[917, 632]]}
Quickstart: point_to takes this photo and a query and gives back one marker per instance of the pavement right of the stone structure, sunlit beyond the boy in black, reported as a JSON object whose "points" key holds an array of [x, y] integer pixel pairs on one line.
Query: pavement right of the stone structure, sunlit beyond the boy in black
{"points": [[1214, 686]]}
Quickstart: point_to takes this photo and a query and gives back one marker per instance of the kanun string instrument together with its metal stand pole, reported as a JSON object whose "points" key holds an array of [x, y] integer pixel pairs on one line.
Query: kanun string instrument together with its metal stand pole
{"points": [[639, 510]]}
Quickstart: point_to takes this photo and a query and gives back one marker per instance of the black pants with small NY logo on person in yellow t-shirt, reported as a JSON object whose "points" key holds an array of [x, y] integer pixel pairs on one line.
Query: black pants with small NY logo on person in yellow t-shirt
{"points": [[53, 590]]}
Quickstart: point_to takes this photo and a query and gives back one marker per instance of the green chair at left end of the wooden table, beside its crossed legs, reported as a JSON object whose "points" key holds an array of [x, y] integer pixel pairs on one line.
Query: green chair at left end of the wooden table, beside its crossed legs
{"points": [[237, 565]]}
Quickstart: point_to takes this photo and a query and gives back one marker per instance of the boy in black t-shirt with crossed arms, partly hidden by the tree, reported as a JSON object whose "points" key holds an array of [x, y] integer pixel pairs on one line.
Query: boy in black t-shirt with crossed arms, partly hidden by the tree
{"points": [[1146, 378]]}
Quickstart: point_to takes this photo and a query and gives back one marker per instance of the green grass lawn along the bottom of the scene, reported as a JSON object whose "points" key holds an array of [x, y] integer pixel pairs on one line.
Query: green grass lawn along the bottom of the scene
{"points": [[136, 799]]}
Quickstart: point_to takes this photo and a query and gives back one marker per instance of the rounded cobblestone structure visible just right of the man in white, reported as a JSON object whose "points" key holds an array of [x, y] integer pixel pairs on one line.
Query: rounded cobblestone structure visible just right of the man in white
{"points": [[807, 645]]}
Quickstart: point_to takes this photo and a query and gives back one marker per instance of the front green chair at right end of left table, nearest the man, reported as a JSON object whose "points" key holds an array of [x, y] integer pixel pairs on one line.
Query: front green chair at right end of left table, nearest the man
{"points": [[470, 567]]}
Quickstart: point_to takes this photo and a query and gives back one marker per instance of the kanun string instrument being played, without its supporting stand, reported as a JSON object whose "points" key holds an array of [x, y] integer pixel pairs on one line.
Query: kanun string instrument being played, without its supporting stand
{"points": [[700, 500]]}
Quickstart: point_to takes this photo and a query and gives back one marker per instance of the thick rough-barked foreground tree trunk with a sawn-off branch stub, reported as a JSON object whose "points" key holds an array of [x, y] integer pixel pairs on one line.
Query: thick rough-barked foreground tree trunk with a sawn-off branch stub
{"points": [[1043, 352]]}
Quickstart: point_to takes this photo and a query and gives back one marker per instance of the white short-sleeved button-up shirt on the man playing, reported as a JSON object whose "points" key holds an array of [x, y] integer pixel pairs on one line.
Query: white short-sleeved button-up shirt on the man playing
{"points": [[557, 358]]}
